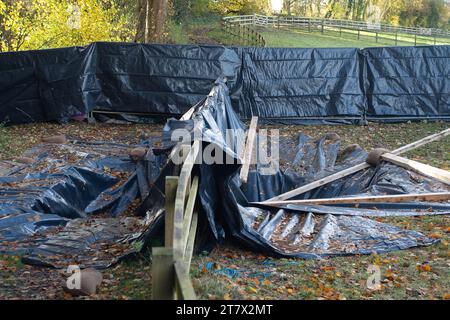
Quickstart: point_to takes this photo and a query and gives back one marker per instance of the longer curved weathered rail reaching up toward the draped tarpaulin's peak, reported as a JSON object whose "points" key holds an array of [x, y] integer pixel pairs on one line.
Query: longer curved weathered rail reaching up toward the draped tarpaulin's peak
{"points": [[182, 189]]}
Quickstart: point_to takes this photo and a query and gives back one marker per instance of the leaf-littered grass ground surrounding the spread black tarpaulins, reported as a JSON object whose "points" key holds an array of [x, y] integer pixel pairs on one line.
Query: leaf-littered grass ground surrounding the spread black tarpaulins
{"points": [[420, 273]]}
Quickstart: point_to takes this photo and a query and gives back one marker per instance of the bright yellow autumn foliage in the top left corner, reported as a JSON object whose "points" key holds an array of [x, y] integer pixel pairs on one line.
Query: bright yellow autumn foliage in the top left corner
{"points": [[39, 24]]}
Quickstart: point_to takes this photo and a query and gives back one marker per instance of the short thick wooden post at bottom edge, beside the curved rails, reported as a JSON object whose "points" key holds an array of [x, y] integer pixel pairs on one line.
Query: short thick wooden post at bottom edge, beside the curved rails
{"points": [[163, 274]]}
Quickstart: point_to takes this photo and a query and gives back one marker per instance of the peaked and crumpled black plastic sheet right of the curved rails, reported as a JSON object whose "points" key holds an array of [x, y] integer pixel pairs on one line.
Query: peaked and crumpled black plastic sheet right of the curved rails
{"points": [[302, 231]]}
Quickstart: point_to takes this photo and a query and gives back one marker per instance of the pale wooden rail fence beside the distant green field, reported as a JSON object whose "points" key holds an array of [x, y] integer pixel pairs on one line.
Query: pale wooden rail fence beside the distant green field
{"points": [[240, 26]]}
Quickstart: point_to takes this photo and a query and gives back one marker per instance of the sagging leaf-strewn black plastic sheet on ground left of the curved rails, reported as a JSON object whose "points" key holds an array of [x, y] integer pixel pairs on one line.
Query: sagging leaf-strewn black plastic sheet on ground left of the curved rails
{"points": [[70, 202]]}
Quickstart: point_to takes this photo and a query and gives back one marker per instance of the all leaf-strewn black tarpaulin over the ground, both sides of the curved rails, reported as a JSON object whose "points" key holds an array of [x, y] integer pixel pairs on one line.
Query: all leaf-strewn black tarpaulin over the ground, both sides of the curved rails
{"points": [[65, 208]]}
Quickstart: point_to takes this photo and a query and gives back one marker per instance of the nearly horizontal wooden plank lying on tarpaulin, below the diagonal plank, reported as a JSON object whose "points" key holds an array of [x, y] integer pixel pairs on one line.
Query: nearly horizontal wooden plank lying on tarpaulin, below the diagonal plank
{"points": [[438, 196]]}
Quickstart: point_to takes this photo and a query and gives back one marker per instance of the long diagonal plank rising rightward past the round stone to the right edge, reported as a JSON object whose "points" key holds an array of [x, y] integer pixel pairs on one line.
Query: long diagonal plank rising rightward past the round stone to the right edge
{"points": [[356, 168]]}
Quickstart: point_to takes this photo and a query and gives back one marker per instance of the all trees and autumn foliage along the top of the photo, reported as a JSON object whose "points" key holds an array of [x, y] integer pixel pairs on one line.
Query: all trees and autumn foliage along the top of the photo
{"points": [[40, 24]]}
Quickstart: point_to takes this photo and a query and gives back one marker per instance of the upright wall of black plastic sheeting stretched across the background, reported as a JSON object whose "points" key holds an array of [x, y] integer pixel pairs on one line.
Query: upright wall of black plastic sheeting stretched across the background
{"points": [[277, 84]]}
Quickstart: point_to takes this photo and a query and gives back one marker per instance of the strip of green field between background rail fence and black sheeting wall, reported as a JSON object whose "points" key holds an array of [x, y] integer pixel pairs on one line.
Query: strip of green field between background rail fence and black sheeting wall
{"points": [[332, 39]]}
